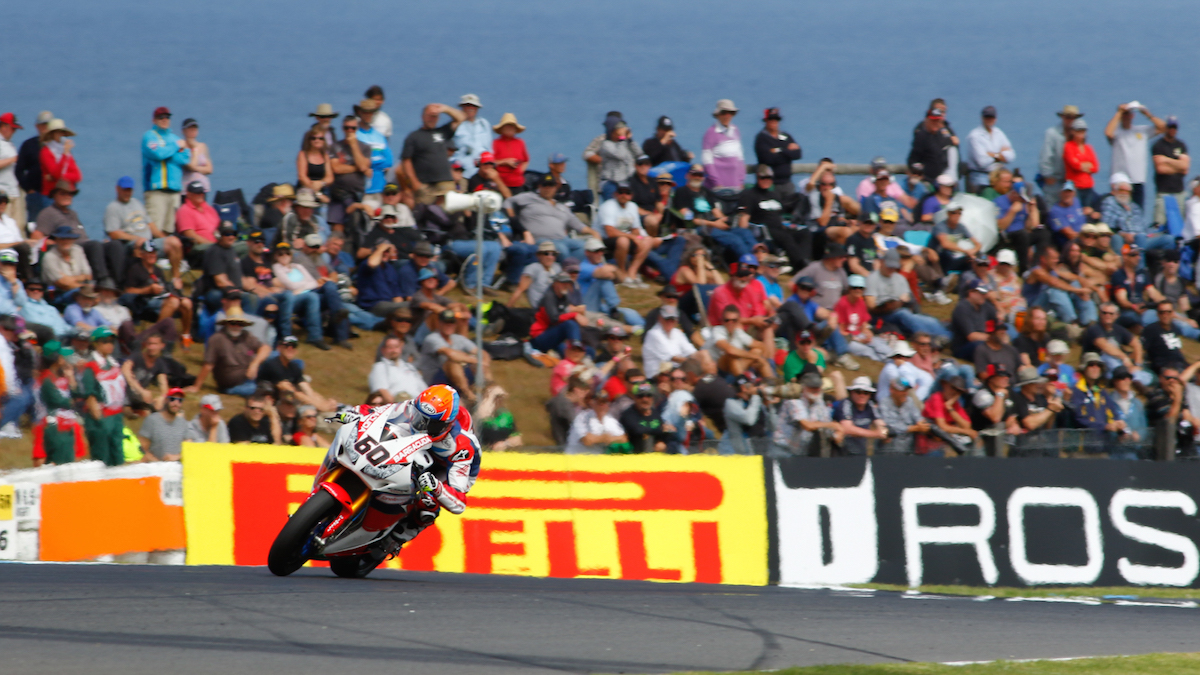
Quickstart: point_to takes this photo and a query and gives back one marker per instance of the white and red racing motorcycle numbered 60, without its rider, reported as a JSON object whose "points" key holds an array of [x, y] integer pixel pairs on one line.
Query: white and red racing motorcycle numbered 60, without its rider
{"points": [[370, 461]]}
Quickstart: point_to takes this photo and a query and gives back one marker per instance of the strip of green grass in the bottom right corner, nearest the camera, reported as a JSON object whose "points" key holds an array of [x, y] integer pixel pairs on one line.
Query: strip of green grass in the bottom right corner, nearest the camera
{"points": [[1154, 664]]}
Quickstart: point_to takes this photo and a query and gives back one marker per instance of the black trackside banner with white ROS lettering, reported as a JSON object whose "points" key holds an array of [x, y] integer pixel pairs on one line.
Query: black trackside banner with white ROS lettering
{"points": [[986, 522]]}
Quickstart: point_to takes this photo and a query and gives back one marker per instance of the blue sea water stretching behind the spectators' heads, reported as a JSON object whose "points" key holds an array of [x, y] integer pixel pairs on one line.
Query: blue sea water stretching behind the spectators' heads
{"points": [[853, 77]]}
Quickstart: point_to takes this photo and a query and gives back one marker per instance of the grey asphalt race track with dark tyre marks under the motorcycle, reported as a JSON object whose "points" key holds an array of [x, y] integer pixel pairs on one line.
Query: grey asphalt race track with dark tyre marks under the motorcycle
{"points": [[145, 619]]}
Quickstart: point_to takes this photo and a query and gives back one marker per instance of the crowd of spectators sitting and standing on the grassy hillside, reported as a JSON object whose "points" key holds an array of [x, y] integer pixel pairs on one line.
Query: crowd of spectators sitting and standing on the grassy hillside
{"points": [[962, 283]]}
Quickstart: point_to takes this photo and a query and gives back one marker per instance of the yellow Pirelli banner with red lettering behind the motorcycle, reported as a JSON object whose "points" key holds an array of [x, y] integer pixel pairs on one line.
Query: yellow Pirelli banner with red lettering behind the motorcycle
{"points": [[622, 517]]}
